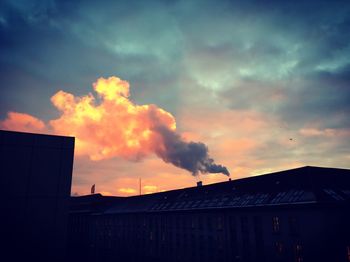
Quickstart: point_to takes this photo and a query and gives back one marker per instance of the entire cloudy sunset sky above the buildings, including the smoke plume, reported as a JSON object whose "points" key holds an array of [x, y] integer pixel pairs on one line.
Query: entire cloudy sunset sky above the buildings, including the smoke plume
{"points": [[170, 91]]}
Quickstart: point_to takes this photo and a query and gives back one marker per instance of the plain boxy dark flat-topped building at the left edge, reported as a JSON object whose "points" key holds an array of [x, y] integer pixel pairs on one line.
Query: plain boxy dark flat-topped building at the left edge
{"points": [[36, 173]]}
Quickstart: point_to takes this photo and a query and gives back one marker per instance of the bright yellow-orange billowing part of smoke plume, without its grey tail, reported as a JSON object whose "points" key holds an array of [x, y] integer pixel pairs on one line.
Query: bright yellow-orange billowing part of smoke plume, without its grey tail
{"points": [[115, 127]]}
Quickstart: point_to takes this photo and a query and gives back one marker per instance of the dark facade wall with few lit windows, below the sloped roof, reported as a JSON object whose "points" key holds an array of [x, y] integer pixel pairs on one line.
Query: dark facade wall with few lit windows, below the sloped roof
{"points": [[305, 233]]}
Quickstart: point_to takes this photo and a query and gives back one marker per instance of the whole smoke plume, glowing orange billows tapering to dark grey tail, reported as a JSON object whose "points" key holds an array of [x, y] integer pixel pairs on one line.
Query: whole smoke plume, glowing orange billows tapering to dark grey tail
{"points": [[116, 127]]}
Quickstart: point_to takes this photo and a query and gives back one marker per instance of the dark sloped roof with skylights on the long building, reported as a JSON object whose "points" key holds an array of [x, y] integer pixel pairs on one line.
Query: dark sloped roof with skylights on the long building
{"points": [[296, 186]]}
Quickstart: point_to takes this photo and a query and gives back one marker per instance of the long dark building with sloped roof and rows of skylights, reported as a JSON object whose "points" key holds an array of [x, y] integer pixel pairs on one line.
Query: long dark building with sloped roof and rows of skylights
{"points": [[297, 215]]}
